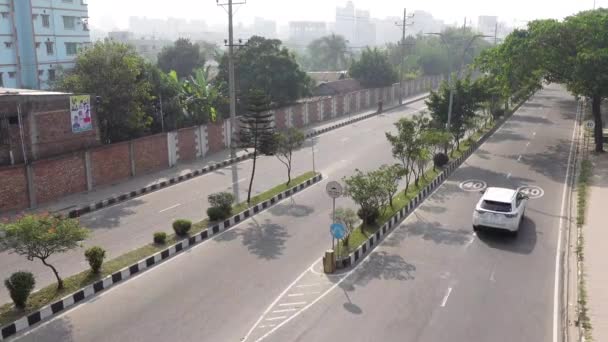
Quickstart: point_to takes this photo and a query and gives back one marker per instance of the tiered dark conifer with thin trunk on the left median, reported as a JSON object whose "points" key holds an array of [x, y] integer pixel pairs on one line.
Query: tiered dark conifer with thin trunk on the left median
{"points": [[256, 130]]}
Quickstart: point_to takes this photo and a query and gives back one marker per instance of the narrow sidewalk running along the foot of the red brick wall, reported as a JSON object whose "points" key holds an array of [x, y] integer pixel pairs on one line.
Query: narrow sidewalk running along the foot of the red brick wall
{"points": [[74, 201]]}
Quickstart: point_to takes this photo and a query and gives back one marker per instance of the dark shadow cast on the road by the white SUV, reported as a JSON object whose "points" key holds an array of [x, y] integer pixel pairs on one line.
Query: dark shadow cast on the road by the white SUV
{"points": [[524, 243]]}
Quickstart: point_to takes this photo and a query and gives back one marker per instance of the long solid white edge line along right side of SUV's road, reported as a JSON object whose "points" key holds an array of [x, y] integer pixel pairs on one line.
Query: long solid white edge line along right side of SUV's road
{"points": [[559, 239]]}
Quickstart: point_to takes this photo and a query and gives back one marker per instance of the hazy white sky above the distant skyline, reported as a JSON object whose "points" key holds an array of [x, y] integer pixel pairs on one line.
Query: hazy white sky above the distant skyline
{"points": [[112, 14]]}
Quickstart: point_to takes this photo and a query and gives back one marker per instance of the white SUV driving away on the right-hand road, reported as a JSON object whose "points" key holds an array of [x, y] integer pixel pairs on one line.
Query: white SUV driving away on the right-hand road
{"points": [[500, 208]]}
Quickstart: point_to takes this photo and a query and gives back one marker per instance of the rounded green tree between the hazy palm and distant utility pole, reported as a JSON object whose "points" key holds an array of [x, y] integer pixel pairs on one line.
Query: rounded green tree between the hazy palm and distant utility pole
{"points": [[374, 69]]}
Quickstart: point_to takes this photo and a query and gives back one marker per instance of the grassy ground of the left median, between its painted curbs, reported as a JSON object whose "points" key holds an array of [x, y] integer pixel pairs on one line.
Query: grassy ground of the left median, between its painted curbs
{"points": [[49, 294]]}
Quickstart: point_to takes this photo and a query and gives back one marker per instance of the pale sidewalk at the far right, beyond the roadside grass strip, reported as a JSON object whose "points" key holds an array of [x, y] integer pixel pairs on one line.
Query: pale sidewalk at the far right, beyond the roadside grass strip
{"points": [[596, 257]]}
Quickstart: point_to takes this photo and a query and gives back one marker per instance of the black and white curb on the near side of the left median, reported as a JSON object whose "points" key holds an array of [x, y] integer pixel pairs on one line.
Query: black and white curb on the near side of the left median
{"points": [[130, 271]]}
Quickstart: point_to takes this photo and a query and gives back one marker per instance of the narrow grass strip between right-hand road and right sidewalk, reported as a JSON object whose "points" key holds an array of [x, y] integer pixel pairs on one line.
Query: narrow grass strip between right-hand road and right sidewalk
{"points": [[582, 189]]}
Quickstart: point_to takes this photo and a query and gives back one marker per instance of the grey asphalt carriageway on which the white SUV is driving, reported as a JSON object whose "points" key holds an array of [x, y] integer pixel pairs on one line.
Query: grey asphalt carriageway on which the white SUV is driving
{"points": [[435, 280]]}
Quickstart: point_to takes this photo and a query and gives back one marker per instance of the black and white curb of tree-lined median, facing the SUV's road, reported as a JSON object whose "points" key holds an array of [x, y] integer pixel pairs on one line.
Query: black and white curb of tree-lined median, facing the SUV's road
{"points": [[358, 254]]}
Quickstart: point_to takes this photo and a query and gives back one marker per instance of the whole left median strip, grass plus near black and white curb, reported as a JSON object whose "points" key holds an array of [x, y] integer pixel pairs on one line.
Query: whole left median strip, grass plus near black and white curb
{"points": [[48, 302]]}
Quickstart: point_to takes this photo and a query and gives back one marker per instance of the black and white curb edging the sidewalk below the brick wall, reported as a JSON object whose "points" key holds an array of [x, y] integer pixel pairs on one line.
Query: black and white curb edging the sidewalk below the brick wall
{"points": [[175, 180]]}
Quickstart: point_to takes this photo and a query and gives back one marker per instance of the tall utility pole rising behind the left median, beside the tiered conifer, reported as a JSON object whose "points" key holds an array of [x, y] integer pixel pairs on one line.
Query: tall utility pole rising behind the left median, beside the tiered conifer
{"points": [[231, 91]]}
